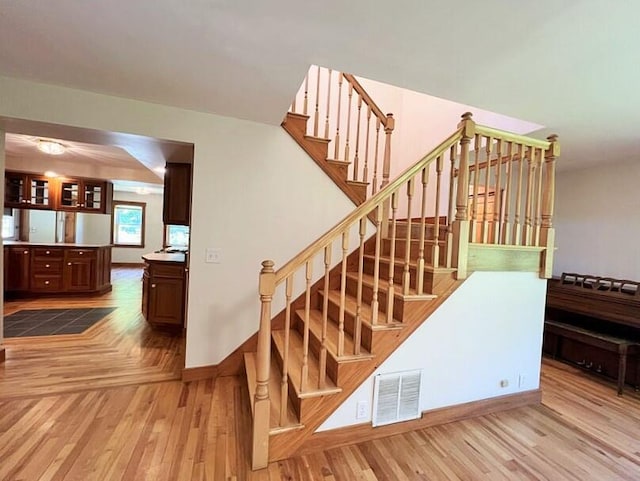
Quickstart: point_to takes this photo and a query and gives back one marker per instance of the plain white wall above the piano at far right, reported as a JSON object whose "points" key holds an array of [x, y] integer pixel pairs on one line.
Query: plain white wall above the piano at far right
{"points": [[597, 220]]}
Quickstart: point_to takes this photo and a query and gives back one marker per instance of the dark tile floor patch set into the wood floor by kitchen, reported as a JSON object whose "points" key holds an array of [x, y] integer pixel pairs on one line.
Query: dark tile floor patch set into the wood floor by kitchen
{"points": [[47, 322]]}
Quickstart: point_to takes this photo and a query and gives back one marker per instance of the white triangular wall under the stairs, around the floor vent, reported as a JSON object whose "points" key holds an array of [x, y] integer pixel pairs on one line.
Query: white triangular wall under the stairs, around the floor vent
{"points": [[468, 345]]}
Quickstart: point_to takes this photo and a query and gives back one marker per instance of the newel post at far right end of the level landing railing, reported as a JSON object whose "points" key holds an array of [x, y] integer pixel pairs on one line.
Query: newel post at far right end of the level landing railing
{"points": [[547, 232]]}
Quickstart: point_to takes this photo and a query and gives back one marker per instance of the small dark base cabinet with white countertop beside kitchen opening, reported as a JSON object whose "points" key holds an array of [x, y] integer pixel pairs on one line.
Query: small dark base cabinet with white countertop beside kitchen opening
{"points": [[163, 289]]}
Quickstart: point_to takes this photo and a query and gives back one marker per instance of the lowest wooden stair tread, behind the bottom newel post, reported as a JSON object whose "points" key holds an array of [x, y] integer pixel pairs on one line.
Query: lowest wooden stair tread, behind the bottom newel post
{"points": [[275, 395]]}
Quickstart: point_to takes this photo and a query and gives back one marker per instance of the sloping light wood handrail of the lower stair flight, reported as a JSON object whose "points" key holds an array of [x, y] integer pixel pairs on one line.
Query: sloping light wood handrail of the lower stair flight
{"points": [[364, 208]]}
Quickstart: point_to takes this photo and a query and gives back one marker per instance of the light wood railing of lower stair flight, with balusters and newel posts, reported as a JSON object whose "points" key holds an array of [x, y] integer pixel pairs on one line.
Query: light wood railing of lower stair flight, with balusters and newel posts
{"points": [[517, 159]]}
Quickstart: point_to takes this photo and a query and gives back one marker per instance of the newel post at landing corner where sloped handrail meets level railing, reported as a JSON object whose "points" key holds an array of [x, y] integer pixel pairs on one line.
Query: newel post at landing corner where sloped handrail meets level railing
{"points": [[461, 223]]}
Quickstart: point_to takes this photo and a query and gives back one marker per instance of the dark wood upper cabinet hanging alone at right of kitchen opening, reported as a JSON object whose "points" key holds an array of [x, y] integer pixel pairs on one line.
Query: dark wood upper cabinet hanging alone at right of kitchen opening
{"points": [[177, 194]]}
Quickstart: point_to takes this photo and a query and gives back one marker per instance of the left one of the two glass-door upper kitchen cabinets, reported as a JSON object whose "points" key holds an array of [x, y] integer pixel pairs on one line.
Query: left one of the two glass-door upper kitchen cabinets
{"points": [[31, 191]]}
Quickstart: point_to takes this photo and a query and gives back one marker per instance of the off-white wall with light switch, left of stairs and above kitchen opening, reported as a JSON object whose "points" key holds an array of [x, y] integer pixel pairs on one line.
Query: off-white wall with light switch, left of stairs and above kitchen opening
{"points": [[256, 195]]}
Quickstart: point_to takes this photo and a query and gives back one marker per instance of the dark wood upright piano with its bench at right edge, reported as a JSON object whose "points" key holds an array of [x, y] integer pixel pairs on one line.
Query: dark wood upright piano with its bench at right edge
{"points": [[594, 322]]}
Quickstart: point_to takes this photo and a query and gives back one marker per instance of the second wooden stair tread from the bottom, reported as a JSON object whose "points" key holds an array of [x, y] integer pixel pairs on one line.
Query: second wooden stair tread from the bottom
{"points": [[310, 388]]}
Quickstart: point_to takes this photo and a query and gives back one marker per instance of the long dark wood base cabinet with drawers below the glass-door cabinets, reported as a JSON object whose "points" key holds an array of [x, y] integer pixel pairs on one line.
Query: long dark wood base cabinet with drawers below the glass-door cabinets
{"points": [[42, 269]]}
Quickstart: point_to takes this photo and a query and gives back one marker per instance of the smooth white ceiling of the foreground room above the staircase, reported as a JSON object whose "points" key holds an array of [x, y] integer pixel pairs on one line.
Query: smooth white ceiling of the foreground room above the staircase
{"points": [[571, 66]]}
